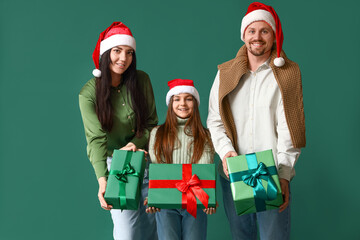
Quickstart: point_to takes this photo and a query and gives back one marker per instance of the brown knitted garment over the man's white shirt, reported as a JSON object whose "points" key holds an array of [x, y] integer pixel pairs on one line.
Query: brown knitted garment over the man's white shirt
{"points": [[288, 78]]}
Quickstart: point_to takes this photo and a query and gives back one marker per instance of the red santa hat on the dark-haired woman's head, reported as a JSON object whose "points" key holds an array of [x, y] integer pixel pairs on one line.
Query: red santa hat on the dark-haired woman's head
{"points": [[115, 35]]}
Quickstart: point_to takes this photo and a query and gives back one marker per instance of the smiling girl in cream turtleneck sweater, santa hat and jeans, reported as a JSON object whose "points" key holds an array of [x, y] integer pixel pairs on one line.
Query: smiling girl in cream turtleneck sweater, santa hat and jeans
{"points": [[181, 139]]}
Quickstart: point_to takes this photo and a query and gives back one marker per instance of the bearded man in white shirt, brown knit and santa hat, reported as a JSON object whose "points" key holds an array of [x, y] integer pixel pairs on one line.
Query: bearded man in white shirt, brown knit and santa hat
{"points": [[255, 105]]}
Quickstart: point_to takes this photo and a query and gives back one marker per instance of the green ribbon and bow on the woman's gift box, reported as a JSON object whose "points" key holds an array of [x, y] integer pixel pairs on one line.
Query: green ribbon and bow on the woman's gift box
{"points": [[122, 176]]}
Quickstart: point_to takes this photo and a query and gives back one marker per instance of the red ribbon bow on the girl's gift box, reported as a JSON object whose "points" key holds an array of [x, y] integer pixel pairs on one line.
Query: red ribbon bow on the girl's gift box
{"points": [[191, 189]]}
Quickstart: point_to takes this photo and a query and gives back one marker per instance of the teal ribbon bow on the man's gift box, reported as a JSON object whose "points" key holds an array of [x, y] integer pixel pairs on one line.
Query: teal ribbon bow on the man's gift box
{"points": [[254, 180]]}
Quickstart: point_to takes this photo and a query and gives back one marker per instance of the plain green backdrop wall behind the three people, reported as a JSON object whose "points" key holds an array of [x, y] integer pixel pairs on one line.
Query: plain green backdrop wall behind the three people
{"points": [[48, 187]]}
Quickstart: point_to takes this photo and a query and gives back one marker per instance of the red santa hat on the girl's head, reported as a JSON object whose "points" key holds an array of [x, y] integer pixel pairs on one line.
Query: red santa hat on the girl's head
{"points": [[178, 86]]}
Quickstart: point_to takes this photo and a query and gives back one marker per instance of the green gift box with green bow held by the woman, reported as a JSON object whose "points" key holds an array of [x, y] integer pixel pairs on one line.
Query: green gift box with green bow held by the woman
{"points": [[125, 179]]}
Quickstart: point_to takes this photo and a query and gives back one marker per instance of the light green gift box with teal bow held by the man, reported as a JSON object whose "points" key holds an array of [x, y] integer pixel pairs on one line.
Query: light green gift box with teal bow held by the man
{"points": [[254, 182]]}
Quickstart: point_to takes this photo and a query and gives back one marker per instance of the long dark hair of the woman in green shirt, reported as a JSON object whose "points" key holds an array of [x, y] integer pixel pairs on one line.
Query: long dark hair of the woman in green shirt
{"points": [[104, 109]]}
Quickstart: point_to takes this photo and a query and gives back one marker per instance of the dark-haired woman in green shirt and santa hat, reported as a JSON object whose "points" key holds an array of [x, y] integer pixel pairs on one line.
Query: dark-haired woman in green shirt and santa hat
{"points": [[118, 112]]}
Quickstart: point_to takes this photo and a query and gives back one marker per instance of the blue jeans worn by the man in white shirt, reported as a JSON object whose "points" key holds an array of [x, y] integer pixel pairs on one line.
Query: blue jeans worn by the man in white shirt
{"points": [[271, 224]]}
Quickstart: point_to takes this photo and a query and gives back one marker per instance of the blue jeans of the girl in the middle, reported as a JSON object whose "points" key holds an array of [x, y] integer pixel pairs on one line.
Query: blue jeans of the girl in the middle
{"points": [[178, 224]]}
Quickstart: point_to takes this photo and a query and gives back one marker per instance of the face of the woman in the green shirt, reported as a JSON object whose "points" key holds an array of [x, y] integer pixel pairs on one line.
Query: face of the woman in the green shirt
{"points": [[121, 58]]}
